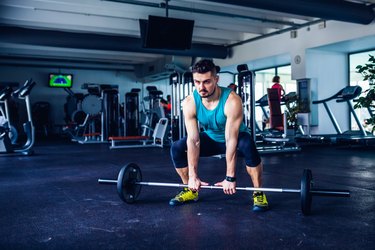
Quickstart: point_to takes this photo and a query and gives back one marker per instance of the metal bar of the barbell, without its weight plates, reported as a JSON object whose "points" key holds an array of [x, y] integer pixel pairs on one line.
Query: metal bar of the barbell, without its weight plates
{"points": [[315, 192]]}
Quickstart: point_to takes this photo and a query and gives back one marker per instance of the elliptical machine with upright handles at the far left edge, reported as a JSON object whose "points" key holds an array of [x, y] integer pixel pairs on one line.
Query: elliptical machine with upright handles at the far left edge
{"points": [[6, 145]]}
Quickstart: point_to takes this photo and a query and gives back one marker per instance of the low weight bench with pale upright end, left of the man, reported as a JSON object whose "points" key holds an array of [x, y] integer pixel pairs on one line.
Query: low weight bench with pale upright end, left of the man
{"points": [[157, 139]]}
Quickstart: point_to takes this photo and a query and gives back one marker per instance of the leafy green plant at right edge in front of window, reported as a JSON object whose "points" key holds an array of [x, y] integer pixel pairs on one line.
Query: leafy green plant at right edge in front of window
{"points": [[368, 100]]}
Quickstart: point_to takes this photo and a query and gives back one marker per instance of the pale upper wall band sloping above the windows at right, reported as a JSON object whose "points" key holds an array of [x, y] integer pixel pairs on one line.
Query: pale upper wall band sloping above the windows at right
{"points": [[277, 47]]}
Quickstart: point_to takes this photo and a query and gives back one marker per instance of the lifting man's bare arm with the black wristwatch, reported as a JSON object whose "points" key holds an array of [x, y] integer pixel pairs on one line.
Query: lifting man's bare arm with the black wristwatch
{"points": [[234, 113]]}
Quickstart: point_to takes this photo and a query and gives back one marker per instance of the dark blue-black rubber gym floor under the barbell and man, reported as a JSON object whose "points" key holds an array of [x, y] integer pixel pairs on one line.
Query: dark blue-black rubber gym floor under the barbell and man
{"points": [[52, 200]]}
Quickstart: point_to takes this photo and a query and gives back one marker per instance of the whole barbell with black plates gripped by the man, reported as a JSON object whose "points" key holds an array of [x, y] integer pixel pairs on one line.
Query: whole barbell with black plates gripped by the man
{"points": [[129, 183]]}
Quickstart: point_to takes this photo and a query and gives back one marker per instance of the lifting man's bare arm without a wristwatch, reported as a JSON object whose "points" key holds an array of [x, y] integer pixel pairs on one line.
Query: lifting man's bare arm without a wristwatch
{"points": [[193, 143]]}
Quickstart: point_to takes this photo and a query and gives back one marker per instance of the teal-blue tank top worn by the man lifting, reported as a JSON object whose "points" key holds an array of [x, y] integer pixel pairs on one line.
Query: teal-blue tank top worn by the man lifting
{"points": [[213, 121]]}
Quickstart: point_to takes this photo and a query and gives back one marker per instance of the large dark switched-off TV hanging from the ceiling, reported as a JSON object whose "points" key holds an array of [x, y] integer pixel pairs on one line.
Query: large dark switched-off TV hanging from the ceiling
{"points": [[166, 33]]}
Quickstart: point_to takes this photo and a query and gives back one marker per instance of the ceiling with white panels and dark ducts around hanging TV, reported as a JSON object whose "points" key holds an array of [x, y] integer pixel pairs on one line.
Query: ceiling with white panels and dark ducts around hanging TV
{"points": [[105, 33]]}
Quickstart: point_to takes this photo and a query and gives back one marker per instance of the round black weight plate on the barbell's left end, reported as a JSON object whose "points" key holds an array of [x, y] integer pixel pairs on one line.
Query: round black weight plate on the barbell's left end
{"points": [[126, 187]]}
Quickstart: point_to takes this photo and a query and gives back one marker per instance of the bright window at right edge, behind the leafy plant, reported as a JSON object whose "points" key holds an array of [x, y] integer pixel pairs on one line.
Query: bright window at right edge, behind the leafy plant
{"points": [[357, 79]]}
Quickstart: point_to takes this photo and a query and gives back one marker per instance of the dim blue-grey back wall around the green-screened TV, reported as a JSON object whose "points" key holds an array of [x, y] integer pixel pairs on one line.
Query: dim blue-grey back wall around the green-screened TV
{"points": [[57, 97]]}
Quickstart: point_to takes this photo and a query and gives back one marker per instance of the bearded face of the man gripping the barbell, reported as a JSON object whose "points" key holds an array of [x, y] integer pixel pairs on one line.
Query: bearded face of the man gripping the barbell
{"points": [[205, 83]]}
